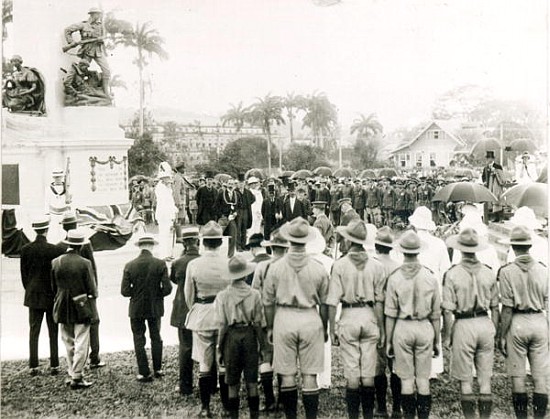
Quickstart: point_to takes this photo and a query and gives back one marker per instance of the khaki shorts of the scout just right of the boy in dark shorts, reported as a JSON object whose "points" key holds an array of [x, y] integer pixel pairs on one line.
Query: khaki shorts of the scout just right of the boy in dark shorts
{"points": [[297, 336]]}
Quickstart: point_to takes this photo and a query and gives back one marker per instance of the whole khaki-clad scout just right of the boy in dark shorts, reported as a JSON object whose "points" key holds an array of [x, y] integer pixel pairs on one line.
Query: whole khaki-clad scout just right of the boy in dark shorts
{"points": [[296, 285]]}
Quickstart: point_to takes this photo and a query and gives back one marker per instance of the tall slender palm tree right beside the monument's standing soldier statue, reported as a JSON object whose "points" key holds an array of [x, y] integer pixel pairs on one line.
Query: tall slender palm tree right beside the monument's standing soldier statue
{"points": [[147, 42]]}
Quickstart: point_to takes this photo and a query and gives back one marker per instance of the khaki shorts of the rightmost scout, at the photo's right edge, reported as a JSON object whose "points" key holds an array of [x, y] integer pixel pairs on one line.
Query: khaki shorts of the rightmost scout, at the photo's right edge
{"points": [[528, 337]]}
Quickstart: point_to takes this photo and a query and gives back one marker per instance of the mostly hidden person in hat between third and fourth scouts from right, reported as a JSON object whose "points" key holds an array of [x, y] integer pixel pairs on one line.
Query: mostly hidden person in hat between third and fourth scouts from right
{"points": [[383, 244]]}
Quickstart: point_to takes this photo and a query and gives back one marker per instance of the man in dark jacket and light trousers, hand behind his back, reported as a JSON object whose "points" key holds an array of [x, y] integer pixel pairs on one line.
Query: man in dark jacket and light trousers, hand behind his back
{"points": [[72, 278]]}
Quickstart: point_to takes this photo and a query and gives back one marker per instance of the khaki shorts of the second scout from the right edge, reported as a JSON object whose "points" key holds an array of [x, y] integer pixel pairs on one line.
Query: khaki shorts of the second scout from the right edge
{"points": [[473, 344]]}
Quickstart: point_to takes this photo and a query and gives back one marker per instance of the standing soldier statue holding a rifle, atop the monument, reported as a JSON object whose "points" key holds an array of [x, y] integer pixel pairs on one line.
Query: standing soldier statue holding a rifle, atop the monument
{"points": [[92, 46]]}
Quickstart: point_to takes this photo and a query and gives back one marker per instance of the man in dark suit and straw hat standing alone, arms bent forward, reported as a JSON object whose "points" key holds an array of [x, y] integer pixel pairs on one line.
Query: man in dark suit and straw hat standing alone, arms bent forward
{"points": [[145, 281]]}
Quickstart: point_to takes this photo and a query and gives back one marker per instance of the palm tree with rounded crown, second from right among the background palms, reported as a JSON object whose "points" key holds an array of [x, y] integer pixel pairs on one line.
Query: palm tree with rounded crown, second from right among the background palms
{"points": [[321, 116]]}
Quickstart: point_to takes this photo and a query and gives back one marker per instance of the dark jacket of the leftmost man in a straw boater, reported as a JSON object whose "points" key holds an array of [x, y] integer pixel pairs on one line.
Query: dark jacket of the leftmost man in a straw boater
{"points": [[36, 267]]}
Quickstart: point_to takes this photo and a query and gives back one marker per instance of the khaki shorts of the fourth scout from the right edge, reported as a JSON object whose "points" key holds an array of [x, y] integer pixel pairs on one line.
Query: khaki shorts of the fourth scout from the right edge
{"points": [[358, 333]]}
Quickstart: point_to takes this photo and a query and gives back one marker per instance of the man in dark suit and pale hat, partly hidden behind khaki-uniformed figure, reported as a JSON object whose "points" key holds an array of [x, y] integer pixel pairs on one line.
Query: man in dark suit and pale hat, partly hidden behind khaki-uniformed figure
{"points": [[190, 240]]}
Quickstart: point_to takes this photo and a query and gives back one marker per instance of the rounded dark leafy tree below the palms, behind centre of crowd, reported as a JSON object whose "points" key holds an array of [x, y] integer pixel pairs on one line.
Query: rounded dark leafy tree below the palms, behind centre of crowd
{"points": [[243, 154]]}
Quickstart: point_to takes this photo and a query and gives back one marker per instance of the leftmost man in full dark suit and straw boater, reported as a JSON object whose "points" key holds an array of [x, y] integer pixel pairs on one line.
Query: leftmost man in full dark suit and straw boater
{"points": [[36, 266]]}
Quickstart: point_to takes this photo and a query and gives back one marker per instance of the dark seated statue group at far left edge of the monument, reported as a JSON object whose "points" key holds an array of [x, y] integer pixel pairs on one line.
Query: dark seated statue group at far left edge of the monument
{"points": [[23, 89]]}
